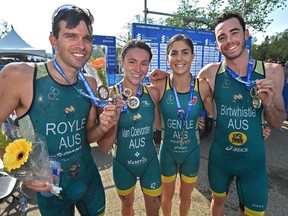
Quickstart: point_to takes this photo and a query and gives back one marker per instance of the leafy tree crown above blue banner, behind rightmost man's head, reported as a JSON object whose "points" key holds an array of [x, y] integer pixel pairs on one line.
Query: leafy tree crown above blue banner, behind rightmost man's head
{"points": [[254, 12]]}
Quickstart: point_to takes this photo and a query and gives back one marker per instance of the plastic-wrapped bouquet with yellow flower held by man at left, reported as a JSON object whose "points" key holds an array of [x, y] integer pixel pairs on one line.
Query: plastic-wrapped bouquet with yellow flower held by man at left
{"points": [[25, 159]]}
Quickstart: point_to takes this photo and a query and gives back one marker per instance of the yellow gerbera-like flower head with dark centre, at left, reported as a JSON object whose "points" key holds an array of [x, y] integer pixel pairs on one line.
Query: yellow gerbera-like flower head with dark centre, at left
{"points": [[16, 154]]}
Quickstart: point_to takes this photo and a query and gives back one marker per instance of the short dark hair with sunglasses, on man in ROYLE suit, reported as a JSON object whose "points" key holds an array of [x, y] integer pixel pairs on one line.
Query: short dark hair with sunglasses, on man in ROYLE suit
{"points": [[72, 15]]}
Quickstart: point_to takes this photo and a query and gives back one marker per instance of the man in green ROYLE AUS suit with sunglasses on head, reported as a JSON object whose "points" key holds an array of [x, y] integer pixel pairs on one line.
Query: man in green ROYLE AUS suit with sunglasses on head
{"points": [[51, 100]]}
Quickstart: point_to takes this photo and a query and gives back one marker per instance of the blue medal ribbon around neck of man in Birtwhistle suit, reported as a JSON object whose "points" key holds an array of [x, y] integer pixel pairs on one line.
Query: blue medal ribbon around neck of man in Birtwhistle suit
{"points": [[249, 84]]}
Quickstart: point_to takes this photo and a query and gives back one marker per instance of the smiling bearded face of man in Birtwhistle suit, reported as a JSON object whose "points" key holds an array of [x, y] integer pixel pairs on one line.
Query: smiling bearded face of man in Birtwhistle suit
{"points": [[230, 38]]}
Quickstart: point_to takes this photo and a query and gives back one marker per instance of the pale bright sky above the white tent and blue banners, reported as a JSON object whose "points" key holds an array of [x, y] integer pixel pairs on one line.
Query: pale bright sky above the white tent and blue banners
{"points": [[31, 19]]}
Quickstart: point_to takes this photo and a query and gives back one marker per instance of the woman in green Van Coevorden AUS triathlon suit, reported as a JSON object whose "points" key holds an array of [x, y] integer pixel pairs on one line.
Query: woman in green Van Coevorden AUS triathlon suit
{"points": [[134, 151]]}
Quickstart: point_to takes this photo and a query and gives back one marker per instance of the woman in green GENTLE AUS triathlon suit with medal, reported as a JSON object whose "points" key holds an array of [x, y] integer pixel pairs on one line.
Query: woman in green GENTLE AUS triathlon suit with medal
{"points": [[181, 104]]}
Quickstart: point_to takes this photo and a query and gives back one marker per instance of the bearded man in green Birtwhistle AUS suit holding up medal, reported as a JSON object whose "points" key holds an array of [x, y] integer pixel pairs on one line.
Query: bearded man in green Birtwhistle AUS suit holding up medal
{"points": [[245, 91]]}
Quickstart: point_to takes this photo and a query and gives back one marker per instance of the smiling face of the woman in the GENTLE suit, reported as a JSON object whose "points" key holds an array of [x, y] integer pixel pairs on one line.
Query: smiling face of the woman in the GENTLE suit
{"points": [[180, 57]]}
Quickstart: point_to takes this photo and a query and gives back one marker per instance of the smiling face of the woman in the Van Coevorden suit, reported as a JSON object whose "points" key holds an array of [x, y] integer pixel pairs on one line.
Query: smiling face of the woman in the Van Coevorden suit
{"points": [[135, 64]]}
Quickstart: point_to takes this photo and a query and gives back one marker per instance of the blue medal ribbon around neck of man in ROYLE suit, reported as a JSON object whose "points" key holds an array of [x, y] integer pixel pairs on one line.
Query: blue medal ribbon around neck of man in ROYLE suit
{"points": [[80, 73]]}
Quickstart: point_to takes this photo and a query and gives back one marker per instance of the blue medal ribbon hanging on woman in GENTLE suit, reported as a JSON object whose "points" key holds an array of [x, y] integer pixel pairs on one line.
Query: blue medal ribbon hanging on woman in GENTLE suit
{"points": [[179, 110]]}
